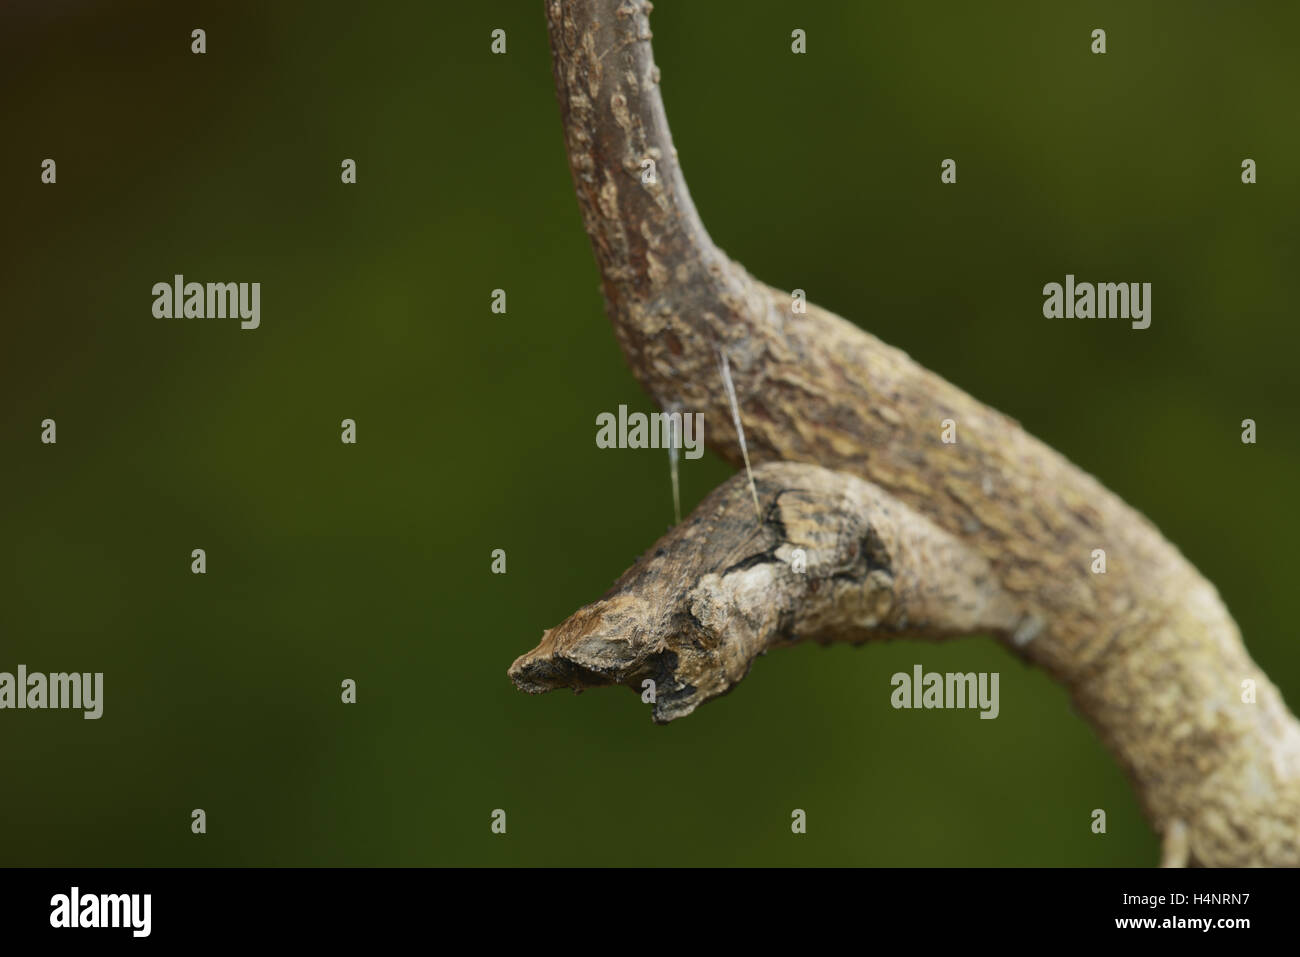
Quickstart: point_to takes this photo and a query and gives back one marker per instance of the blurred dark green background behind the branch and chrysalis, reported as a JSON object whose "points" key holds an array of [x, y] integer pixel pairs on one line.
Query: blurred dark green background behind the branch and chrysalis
{"points": [[476, 432]]}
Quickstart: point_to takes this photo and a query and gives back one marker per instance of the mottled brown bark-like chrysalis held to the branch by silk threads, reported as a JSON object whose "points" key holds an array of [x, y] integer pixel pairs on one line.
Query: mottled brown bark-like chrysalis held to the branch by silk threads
{"points": [[721, 590]]}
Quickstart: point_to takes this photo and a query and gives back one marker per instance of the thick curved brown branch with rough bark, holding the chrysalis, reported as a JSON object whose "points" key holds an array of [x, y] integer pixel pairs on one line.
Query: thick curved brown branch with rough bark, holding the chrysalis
{"points": [[1149, 651]]}
